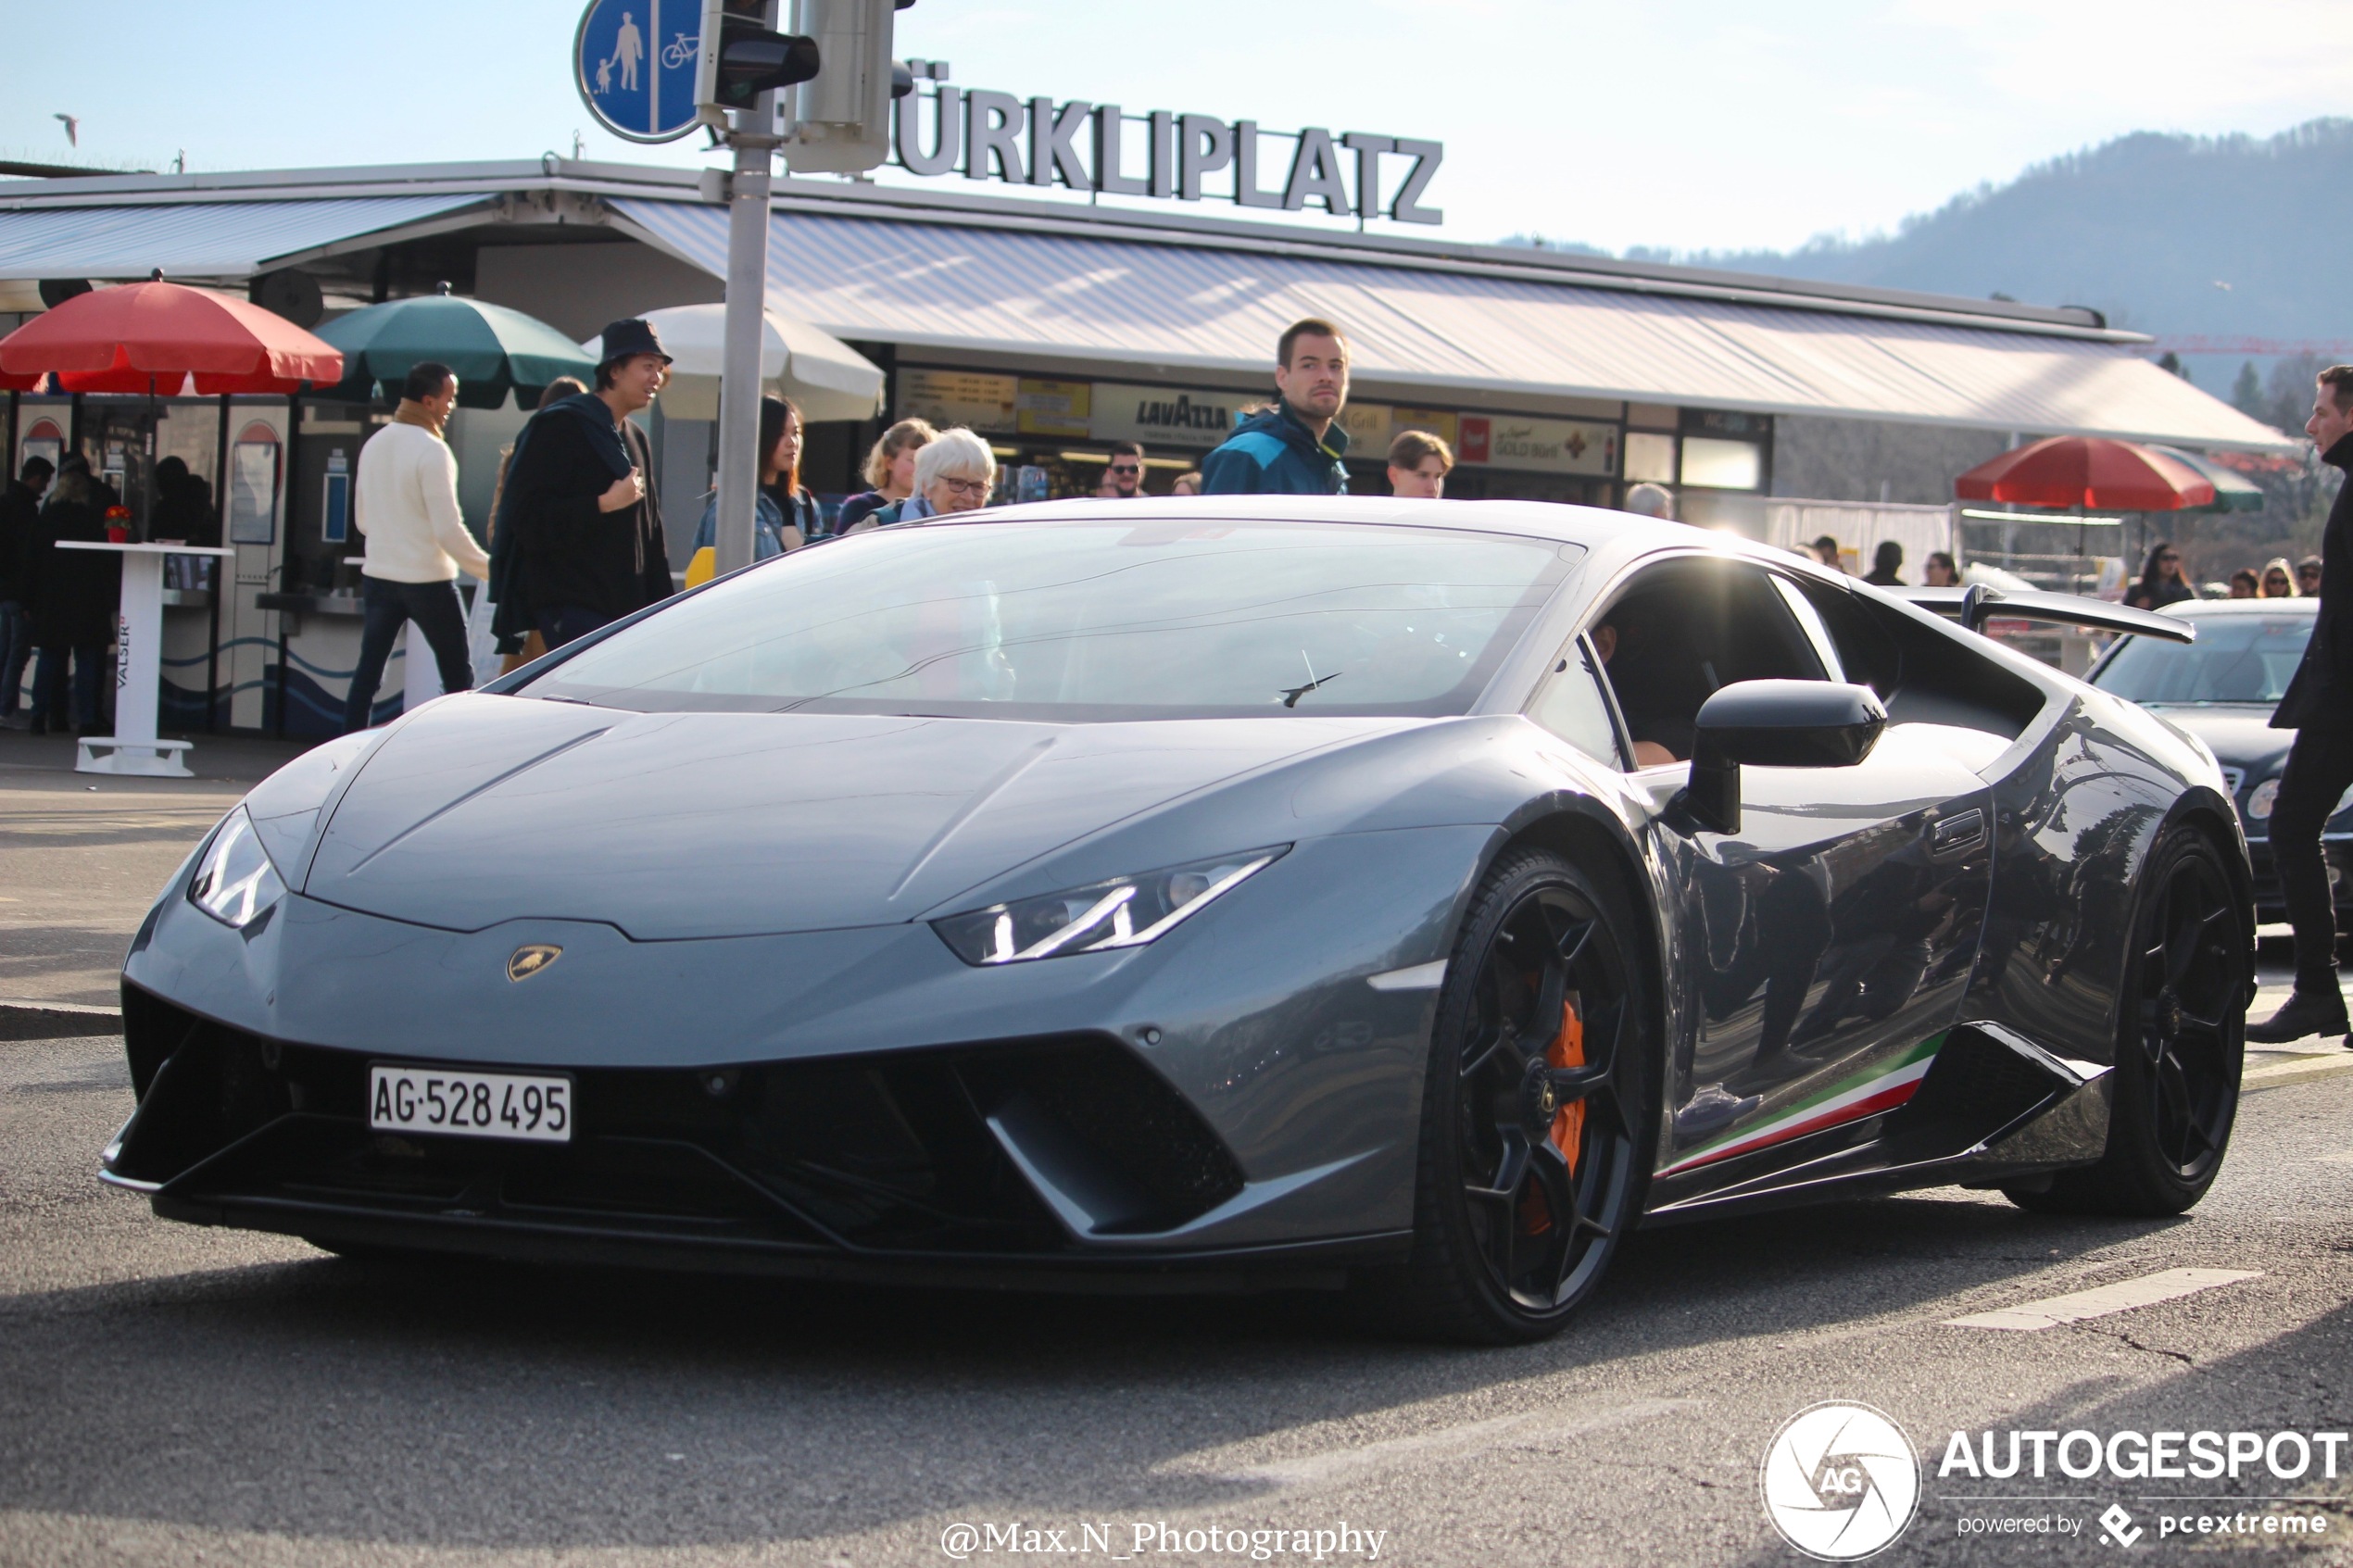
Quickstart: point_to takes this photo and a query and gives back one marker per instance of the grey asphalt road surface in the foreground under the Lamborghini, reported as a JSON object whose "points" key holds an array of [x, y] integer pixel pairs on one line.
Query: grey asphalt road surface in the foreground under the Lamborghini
{"points": [[175, 1395]]}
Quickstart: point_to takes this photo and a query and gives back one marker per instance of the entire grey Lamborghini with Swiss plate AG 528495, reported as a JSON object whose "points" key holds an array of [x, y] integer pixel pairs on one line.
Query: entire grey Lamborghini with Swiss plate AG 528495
{"points": [[1206, 894]]}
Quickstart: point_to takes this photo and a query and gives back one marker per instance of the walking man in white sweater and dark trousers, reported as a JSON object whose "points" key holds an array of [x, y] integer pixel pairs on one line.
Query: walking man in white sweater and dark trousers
{"points": [[418, 542]]}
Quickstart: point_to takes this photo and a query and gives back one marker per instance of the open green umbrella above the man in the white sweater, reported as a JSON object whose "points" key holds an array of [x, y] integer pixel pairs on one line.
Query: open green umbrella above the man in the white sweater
{"points": [[495, 351]]}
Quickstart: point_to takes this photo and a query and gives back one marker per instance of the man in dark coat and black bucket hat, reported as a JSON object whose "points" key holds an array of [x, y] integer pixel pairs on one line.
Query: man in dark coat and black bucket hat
{"points": [[582, 514]]}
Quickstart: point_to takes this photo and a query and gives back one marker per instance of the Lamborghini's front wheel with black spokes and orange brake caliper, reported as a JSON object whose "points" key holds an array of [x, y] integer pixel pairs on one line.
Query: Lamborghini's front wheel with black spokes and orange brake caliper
{"points": [[1538, 1106]]}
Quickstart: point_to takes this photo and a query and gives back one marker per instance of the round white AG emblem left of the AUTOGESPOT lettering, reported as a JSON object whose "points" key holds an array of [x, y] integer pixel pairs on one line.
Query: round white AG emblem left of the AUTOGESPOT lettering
{"points": [[1841, 1482]]}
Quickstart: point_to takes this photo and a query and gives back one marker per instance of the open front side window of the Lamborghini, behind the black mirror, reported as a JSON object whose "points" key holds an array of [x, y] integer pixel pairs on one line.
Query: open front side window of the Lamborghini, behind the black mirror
{"points": [[1686, 629]]}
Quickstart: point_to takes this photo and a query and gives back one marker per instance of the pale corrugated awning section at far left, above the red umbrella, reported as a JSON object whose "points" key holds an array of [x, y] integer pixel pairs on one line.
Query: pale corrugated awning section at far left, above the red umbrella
{"points": [[196, 239]]}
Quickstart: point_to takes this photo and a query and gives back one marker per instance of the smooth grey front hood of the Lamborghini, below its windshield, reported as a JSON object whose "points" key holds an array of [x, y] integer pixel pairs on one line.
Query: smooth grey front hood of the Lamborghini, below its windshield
{"points": [[716, 824]]}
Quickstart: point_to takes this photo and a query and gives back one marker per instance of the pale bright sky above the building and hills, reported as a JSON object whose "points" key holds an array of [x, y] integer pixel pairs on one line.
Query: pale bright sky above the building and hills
{"points": [[1665, 123]]}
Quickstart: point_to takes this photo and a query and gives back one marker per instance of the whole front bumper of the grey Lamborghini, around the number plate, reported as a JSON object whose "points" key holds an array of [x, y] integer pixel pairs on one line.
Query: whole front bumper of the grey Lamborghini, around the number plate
{"points": [[1229, 1101]]}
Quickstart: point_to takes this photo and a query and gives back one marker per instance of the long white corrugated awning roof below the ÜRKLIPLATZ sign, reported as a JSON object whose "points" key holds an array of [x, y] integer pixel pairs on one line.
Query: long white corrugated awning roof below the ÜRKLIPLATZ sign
{"points": [[1204, 307]]}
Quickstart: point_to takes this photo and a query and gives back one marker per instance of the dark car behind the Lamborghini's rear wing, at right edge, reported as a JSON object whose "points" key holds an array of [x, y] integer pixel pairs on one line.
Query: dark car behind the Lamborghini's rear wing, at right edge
{"points": [[2222, 690]]}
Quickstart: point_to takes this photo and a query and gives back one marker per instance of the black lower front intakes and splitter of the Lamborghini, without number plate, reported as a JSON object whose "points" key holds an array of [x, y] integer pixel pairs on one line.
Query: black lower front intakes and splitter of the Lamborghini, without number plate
{"points": [[992, 1160]]}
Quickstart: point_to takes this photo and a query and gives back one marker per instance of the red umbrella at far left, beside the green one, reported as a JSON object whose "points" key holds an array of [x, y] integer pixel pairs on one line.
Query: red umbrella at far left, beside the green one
{"points": [[147, 337]]}
